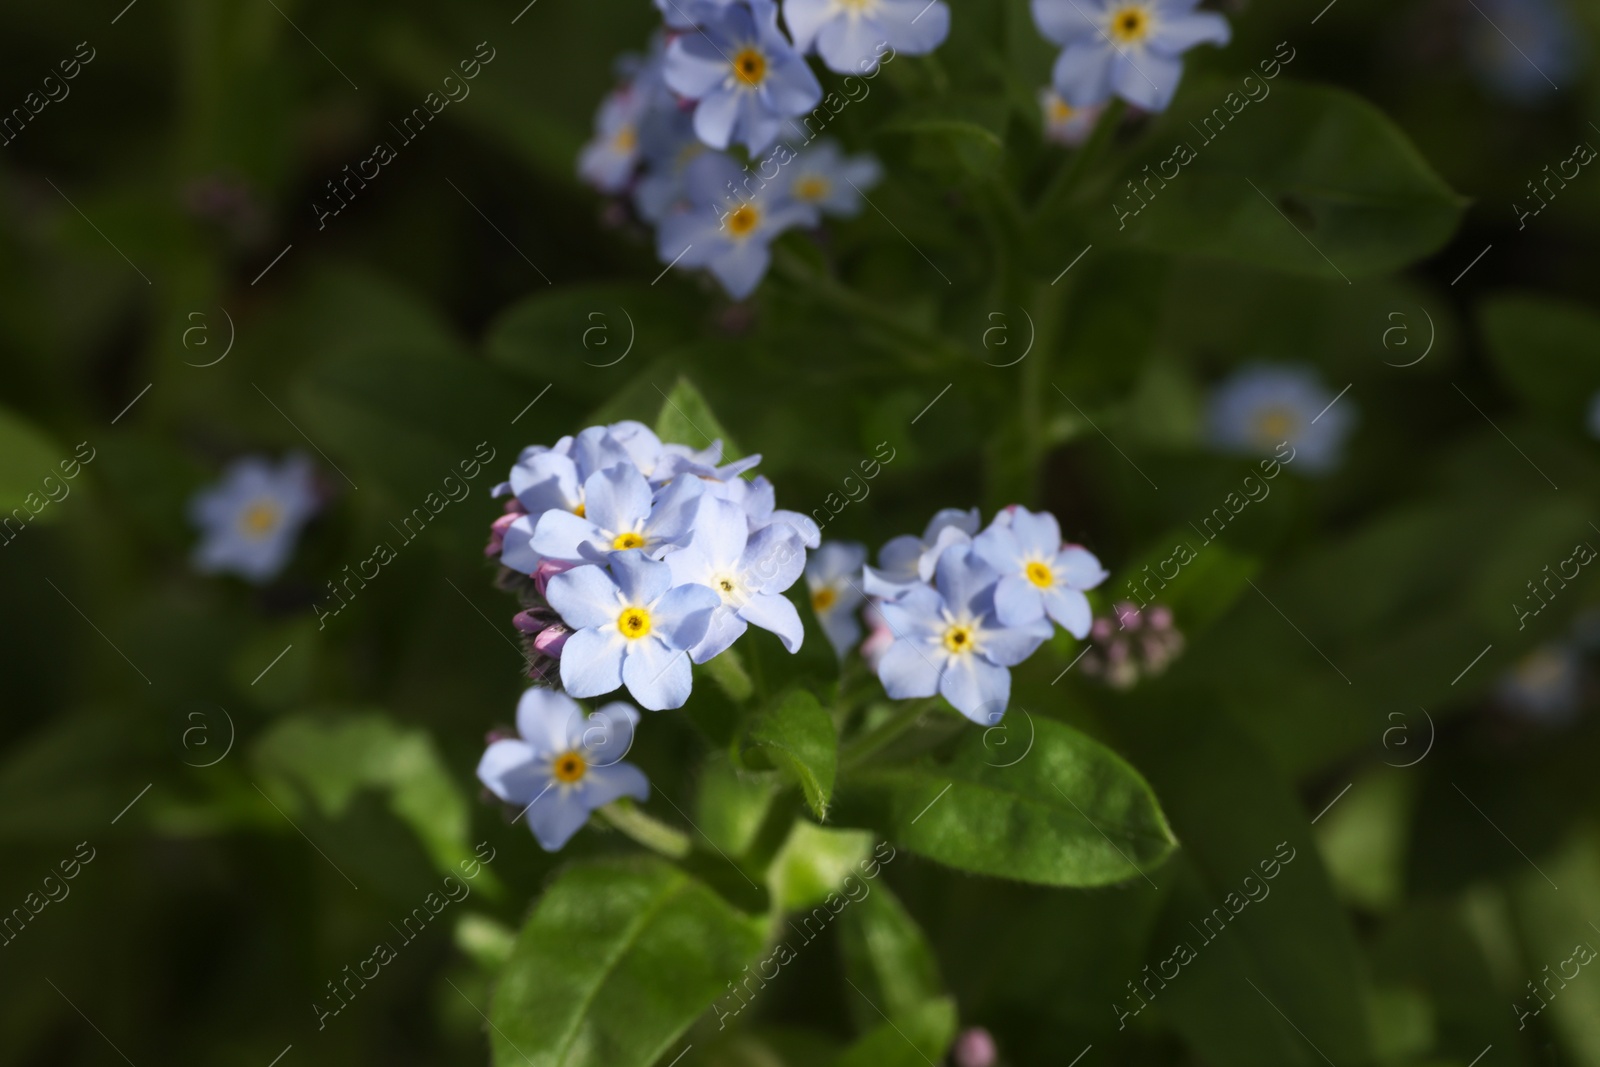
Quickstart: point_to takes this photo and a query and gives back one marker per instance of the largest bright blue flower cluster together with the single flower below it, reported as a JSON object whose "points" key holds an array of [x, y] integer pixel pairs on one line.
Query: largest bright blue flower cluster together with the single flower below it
{"points": [[633, 559]]}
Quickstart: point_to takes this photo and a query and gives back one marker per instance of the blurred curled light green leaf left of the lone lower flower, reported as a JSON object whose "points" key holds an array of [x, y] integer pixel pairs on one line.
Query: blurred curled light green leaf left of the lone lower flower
{"points": [[335, 757]]}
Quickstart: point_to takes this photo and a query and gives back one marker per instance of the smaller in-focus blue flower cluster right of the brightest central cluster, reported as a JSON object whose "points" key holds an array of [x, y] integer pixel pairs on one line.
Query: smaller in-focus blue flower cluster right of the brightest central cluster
{"points": [[956, 609]]}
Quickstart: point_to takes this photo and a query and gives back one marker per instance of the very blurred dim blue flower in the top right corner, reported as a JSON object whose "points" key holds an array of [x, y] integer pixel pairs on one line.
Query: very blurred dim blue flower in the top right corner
{"points": [[1522, 50]]}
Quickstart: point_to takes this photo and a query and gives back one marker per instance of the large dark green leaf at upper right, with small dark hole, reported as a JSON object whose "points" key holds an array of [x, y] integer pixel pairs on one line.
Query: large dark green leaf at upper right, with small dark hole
{"points": [[1310, 180]]}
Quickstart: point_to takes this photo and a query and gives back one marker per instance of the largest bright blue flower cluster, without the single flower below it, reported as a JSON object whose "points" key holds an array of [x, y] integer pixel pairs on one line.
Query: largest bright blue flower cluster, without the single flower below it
{"points": [[642, 559]]}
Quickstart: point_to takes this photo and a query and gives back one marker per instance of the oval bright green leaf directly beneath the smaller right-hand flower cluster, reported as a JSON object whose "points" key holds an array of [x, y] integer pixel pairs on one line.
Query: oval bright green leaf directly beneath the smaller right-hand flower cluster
{"points": [[1068, 813]]}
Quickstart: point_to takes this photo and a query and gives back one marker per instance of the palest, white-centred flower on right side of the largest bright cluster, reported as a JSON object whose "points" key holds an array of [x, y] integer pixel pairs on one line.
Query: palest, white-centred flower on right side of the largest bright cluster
{"points": [[748, 573]]}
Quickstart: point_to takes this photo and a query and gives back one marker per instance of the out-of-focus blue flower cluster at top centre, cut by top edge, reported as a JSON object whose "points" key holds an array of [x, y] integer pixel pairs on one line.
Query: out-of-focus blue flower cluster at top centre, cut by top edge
{"points": [[692, 134]]}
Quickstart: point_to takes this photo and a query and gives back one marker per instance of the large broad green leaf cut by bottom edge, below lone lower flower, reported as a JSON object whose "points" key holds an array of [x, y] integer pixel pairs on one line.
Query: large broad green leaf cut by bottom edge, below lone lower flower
{"points": [[617, 962]]}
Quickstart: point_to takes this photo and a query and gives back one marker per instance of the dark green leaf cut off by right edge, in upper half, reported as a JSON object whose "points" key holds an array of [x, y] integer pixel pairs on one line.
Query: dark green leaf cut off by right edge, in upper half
{"points": [[1546, 351]]}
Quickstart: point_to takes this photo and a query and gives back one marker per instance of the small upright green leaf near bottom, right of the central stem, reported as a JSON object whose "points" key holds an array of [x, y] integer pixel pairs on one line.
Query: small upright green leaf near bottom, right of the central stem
{"points": [[887, 957]]}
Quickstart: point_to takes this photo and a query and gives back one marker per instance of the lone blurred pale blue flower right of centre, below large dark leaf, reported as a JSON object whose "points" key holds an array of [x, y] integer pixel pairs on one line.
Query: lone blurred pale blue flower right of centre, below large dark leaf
{"points": [[1265, 406]]}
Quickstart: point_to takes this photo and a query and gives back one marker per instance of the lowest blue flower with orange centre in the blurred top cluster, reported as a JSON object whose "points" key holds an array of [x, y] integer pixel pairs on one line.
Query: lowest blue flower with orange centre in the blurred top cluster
{"points": [[732, 242]]}
